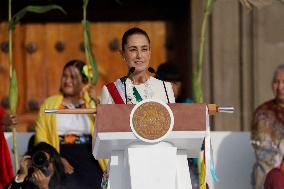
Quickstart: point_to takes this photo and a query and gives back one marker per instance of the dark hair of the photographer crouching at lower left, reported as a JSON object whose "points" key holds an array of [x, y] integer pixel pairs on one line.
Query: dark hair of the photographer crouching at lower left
{"points": [[59, 173]]}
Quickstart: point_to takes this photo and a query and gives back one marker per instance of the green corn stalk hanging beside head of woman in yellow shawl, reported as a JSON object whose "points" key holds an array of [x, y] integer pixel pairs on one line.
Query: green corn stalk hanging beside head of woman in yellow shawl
{"points": [[90, 58]]}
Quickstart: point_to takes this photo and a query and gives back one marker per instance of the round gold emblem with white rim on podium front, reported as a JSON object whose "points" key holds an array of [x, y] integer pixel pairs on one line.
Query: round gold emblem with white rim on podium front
{"points": [[151, 120]]}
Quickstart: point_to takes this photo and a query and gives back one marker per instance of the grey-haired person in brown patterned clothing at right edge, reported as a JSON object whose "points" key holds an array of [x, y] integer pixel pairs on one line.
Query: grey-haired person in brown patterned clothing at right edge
{"points": [[267, 132]]}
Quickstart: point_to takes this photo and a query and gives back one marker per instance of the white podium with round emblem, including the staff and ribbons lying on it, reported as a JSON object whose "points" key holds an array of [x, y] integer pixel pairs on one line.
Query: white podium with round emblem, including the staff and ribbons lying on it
{"points": [[138, 160]]}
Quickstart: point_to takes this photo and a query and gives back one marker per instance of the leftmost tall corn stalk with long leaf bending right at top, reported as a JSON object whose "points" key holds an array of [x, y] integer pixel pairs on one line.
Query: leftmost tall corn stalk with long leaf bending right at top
{"points": [[13, 88]]}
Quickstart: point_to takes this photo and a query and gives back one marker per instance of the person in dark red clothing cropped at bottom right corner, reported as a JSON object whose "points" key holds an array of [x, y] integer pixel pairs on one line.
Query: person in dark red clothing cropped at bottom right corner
{"points": [[275, 177]]}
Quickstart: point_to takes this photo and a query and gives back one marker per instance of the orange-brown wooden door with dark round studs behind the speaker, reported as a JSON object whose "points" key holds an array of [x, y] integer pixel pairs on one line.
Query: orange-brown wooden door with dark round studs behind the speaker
{"points": [[41, 51]]}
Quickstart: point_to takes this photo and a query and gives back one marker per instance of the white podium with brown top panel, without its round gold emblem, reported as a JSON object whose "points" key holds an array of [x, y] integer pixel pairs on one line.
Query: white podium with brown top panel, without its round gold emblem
{"points": [[135, 164]]}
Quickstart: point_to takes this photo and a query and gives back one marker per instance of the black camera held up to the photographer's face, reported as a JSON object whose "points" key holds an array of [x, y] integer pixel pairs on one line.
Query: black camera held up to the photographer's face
{"points": [[40, 161]]}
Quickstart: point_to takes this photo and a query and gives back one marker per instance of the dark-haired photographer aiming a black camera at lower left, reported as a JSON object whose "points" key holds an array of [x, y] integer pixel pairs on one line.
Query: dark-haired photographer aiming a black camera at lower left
{"points": [[40, 168]]}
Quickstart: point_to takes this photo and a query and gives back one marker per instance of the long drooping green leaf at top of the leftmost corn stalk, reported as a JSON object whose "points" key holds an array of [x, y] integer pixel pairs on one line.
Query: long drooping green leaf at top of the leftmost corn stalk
{"points": [[34, 9]]}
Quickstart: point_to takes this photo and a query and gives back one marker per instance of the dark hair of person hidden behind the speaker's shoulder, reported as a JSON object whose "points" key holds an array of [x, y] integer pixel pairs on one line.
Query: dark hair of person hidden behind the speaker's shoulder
{"points": [[169, 71]]}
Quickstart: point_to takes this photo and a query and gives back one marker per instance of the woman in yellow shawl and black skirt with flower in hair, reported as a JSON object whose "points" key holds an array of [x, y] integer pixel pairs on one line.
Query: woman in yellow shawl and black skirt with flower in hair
{"points": [[70, 134]]}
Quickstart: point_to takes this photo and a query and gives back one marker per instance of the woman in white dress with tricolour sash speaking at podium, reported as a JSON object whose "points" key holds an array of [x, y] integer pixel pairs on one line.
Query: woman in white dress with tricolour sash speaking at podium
{"points": [[138, 85]]}
